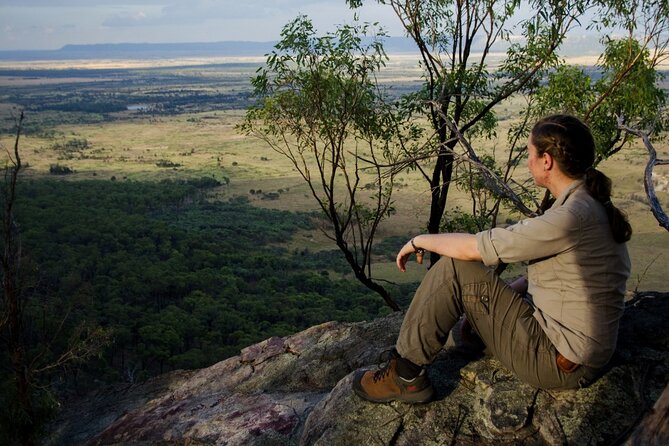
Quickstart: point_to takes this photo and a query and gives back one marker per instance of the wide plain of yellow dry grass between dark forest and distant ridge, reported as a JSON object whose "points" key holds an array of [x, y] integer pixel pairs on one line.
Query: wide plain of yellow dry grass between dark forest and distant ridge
{"points": [[203, 141]]}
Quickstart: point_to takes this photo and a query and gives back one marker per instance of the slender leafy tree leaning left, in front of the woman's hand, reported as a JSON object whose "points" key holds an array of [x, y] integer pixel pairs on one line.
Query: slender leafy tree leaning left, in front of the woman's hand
{"points": [[319, 105]]}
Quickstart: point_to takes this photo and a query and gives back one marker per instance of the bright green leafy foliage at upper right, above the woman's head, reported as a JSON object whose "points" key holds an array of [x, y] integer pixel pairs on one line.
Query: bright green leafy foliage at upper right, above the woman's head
{"points": [[627, 85]]}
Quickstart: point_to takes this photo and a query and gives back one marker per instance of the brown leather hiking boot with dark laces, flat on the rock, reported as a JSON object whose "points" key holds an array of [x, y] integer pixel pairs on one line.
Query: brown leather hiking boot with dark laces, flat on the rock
{"points": [[385, 384]]}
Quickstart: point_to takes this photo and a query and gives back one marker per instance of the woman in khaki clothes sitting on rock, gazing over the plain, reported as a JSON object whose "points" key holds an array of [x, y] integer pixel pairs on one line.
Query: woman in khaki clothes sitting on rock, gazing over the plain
{"points": [[556, 329]]}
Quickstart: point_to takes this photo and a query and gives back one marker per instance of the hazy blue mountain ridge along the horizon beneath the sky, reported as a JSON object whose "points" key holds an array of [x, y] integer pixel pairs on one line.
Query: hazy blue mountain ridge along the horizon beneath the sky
{"points": [[171, 50]]}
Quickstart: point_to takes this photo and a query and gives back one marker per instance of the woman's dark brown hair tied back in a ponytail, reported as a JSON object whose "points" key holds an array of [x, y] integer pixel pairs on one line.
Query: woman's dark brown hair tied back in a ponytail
{"points": [[569, 141]]}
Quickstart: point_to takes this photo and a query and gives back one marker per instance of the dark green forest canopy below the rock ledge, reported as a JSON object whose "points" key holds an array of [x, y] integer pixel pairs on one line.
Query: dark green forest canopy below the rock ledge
{"points": [[182, 281]]}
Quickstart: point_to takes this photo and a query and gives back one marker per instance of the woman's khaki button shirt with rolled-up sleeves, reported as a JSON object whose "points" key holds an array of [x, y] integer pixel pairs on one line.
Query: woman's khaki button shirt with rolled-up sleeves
{"points": [[576, 273]]}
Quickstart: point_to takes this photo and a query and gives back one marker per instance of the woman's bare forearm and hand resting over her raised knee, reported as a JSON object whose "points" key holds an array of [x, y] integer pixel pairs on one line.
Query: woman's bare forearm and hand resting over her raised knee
{"points": [[458, 246]]}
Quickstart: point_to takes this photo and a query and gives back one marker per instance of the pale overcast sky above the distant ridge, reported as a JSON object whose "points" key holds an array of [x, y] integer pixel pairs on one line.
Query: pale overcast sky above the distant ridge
{"points": [[50, 24]]}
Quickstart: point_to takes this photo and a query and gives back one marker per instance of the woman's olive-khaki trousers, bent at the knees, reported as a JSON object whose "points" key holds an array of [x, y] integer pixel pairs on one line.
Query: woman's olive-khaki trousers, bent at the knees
{"points": [[500, 316]]}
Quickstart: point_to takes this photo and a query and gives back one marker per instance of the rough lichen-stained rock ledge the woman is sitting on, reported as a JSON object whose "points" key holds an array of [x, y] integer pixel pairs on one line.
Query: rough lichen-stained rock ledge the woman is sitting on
{"points": [[297, 391]]}
